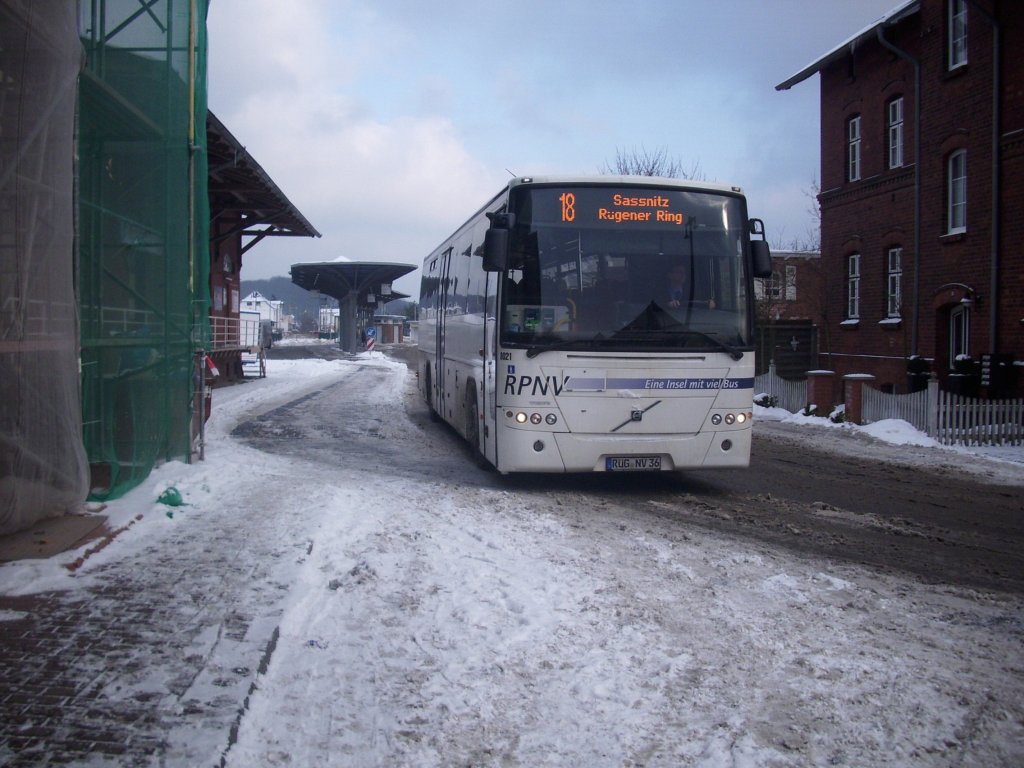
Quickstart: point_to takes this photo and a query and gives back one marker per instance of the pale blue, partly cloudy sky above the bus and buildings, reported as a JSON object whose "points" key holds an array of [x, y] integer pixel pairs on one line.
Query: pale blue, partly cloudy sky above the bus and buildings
{"points": [[389, 122]]}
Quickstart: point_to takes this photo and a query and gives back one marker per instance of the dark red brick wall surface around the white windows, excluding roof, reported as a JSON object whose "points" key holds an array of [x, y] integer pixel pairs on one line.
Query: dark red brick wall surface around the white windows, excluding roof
{"points": [[876, 214]]}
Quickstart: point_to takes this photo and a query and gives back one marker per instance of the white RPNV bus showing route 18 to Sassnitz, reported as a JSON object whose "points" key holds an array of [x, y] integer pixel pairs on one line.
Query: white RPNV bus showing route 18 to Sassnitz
{"points": [[596, 325]]}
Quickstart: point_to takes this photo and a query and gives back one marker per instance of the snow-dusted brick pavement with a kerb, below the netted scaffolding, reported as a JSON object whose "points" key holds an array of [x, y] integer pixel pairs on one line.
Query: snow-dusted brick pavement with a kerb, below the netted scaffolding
{"points": [[152, 660]]}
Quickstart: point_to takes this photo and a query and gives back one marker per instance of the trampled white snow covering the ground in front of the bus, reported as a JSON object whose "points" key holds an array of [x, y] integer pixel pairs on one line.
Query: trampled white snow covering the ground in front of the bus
{"points": [[431, 619]]}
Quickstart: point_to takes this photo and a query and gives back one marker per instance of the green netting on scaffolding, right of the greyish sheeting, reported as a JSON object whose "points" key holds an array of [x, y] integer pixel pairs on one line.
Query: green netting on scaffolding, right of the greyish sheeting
{"points": [[143, 231]]}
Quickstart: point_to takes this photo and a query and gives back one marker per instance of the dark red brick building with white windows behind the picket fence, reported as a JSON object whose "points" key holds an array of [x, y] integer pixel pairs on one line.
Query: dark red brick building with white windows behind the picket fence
{"points": [[922, 262]]}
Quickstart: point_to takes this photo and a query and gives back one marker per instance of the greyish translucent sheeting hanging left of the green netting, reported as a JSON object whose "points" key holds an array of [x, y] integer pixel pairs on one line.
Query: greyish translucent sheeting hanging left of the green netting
{"points": [[44, 466]]}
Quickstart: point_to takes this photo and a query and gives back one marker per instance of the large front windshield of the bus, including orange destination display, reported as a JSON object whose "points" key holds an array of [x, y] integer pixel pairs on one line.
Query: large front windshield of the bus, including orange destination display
{"points": [[625, 268]]}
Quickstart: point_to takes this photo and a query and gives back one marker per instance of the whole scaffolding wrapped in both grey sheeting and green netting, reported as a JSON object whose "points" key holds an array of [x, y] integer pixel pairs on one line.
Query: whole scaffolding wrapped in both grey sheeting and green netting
{"points": [[104, 246]]}
